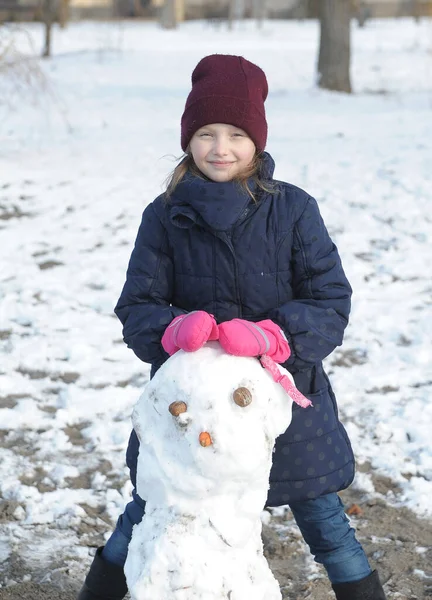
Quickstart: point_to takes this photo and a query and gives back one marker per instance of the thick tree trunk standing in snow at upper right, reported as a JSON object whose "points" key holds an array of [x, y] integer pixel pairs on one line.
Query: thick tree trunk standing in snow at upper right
{"points": [[335, 45]]}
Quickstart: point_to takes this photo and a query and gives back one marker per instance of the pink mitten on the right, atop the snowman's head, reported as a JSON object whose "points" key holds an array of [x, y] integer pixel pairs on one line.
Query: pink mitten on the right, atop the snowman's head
{"points": [[244, 338]]}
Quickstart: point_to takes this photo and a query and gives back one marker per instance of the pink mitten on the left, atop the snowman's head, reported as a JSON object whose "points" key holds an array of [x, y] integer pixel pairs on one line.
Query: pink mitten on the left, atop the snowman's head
{"points": [[189, 332]]}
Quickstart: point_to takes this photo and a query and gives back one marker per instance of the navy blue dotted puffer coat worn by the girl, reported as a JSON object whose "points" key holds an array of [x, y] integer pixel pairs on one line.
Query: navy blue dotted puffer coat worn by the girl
{"points": [[210, 247]]}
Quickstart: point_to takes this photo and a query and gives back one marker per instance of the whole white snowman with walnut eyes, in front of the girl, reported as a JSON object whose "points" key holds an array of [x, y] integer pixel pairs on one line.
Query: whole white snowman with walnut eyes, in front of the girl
{"points": [[207, 423]]}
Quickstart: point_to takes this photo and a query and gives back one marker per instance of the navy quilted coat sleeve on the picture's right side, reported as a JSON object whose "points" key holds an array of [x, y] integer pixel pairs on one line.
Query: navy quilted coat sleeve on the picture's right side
{"points": [[316, 318]]}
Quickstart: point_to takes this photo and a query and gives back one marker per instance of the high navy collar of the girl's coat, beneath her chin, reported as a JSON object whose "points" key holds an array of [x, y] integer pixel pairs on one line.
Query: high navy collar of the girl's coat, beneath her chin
{"points": [[219, 206]]}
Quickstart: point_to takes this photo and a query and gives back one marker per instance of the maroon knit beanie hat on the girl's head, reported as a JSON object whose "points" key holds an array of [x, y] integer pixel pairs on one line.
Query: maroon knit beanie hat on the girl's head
{"points": [[226, 89]]}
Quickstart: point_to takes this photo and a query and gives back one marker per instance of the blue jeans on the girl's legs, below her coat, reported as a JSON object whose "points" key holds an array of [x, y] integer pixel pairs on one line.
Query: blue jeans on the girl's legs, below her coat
{"points": [[322, 521]]}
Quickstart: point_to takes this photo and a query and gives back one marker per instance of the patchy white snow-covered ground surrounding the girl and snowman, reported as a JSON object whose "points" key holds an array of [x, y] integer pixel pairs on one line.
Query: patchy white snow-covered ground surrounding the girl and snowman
{"points": [[79, 162]]}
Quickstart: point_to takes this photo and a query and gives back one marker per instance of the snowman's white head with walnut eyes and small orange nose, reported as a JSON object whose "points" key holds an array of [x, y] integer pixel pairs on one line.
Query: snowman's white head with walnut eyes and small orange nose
{"points": [[208, 419]]}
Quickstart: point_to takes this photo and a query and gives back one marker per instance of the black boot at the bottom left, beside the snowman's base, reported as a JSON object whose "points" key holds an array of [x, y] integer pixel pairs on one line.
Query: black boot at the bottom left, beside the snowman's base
{"points": [[105, 581]]}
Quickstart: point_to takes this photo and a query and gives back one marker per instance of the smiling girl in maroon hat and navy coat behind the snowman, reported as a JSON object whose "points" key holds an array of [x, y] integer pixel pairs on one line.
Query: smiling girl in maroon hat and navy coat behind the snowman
{"points": [[227, 239]]}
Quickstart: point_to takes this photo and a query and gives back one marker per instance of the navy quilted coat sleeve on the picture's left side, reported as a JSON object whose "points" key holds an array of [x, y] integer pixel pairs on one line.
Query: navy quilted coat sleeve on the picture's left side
{"points": [[144, 305]]}
